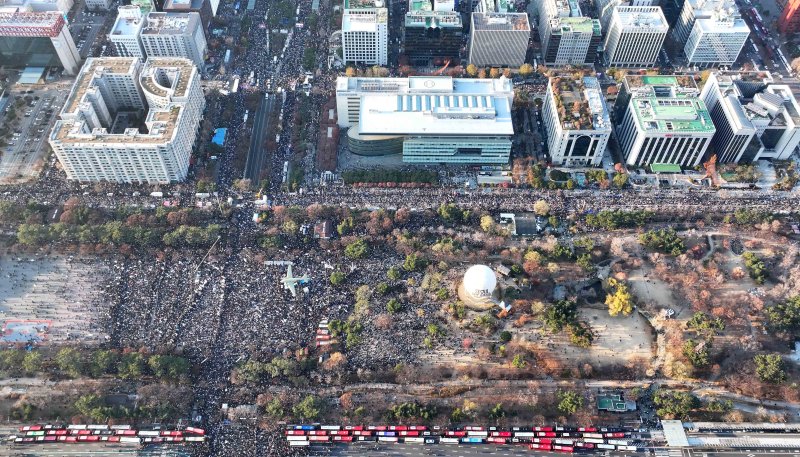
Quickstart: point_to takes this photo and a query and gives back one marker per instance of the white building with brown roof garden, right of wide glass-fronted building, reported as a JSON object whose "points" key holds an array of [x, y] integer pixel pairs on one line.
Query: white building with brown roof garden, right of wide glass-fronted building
{"points": [[577, 121]]}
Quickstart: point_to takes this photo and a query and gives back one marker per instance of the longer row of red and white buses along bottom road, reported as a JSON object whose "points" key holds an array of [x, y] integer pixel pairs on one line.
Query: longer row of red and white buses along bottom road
{"points": [[559, 439]]}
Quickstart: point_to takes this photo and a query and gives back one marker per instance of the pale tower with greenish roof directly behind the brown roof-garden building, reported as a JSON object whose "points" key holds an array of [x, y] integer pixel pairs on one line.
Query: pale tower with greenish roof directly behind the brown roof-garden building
{"points": [[567, 37]]}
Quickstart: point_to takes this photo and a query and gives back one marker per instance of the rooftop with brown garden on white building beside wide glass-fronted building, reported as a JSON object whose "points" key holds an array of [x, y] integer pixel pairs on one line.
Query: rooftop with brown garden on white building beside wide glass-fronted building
{"points": [[580, 103]]}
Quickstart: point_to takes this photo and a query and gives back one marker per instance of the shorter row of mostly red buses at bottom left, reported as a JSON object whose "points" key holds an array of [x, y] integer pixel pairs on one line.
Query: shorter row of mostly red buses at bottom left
{"points": [[123, 434]]}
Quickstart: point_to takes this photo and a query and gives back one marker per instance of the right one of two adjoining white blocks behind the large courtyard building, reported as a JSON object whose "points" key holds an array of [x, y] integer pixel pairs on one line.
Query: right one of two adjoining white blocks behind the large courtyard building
{"points": [[174, 35]]}
